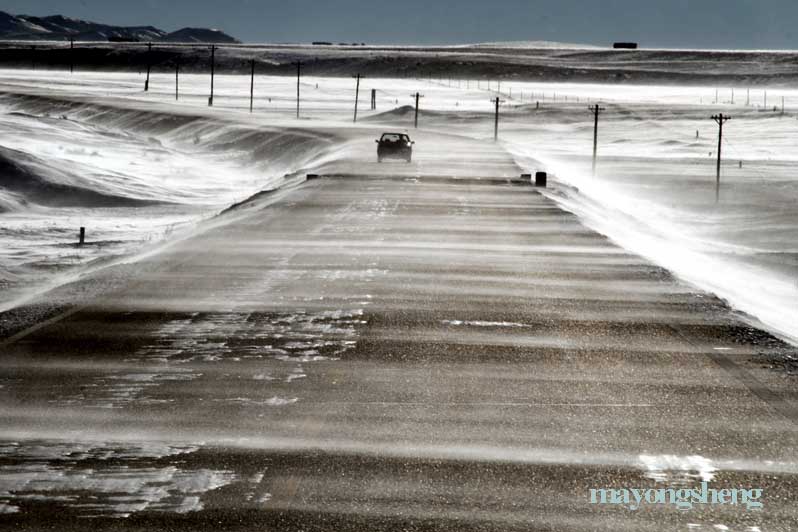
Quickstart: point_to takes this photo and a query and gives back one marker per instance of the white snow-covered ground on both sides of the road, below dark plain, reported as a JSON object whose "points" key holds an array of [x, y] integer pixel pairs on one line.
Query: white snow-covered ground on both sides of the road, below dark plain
{"points": [[94, 150]]}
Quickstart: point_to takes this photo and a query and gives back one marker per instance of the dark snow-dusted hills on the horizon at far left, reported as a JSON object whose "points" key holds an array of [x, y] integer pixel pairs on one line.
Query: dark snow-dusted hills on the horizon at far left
{"points": [[59, 27]]}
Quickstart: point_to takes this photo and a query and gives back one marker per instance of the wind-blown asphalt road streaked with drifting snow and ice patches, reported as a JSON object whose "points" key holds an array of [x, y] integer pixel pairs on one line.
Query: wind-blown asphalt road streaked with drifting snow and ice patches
{"points": [[434, 346]]}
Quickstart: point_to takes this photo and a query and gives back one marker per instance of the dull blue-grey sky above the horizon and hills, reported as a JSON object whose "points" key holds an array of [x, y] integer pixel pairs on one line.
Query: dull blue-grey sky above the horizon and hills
{"points": [[765, 24]]}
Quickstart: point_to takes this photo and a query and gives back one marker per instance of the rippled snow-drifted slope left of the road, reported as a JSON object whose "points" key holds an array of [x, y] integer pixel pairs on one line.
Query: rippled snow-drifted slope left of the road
{"points": [[132, 175]]}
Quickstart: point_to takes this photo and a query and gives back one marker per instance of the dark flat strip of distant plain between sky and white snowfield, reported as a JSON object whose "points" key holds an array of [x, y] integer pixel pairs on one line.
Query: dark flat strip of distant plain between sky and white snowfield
{"points": [[528, 61]]}
